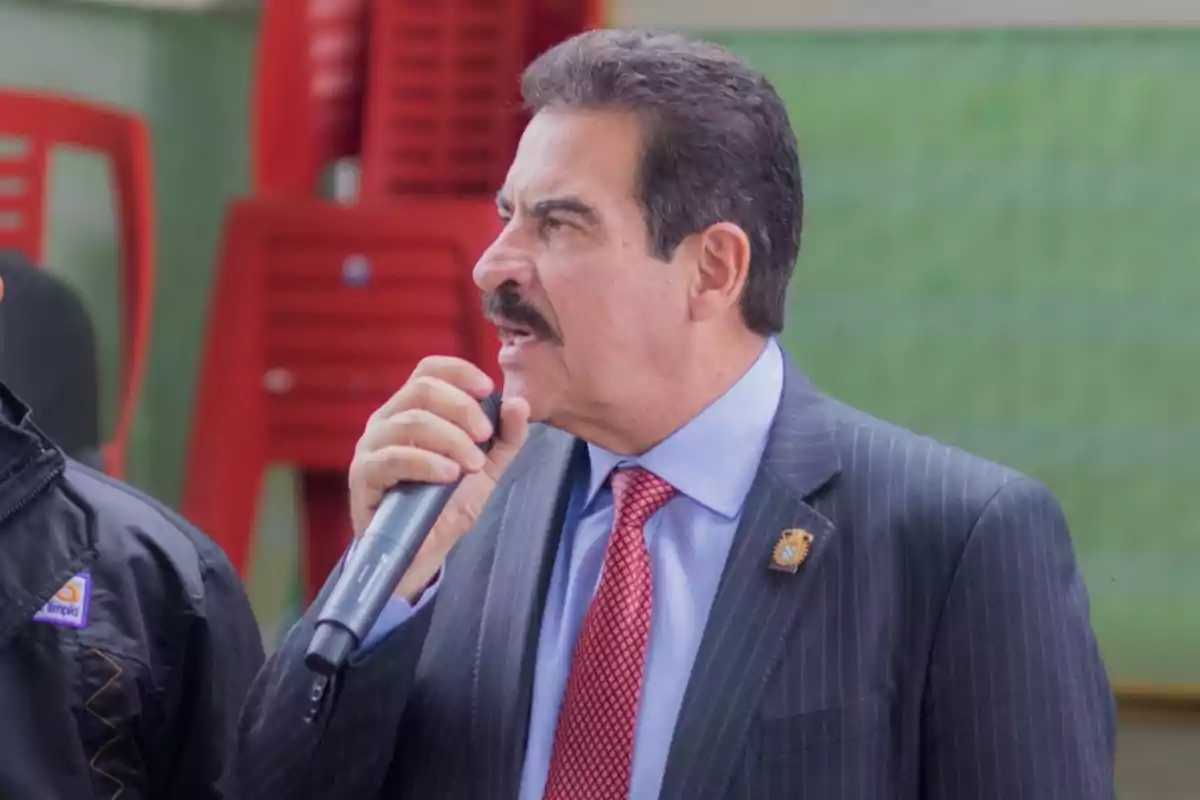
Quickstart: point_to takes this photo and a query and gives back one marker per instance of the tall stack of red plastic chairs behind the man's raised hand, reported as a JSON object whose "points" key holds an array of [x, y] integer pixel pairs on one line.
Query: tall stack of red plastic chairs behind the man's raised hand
{"points": [[322, 309]]}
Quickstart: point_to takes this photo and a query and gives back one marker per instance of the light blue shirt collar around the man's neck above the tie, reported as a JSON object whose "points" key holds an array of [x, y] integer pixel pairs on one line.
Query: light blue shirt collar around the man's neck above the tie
{"points": [[715, 458]]}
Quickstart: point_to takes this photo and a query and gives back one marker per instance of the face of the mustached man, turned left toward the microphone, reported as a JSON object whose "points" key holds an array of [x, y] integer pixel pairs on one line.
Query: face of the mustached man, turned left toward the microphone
{"points": [[585, 311]]}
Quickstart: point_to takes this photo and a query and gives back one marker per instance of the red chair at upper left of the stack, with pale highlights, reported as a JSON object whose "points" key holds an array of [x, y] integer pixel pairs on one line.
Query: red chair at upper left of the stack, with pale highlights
{"points": [[309, 91]]}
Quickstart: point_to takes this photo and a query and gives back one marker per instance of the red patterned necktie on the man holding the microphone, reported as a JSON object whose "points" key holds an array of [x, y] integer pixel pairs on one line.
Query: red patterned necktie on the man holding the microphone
{"points": [[595, 741]]}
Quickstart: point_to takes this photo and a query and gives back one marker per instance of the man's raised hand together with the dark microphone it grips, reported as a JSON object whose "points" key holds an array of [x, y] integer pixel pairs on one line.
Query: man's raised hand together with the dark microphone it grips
{"points": [[429, 434]]}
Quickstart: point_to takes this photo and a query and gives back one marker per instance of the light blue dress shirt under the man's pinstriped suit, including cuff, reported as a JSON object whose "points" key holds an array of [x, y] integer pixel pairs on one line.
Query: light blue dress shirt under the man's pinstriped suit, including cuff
{"points": [[712, 462]]}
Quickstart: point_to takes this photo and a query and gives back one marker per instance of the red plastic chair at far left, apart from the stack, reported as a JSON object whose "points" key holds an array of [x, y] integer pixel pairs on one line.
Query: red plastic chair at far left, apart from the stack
{"points": [[31, 127]]}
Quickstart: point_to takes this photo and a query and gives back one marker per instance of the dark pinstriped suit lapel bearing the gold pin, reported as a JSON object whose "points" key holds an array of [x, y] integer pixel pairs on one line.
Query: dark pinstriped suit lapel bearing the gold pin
{"points": [[755, 607]]}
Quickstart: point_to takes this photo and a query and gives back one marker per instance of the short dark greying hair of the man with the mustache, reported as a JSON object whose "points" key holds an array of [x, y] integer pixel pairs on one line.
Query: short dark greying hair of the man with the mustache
{"points": [[719, 147]]}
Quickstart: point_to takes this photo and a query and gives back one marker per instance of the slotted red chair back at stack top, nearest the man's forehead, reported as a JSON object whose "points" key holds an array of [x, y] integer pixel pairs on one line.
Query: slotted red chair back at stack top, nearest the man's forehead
{"points": [[442, 115]]}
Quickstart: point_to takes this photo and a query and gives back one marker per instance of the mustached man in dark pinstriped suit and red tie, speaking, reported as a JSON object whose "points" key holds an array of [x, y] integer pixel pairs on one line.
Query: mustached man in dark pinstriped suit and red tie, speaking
{"points": [[694, 575]]}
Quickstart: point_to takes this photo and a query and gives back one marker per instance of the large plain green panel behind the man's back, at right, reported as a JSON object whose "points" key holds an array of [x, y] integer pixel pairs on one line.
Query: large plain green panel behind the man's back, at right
{"points": [[1004, 251]]}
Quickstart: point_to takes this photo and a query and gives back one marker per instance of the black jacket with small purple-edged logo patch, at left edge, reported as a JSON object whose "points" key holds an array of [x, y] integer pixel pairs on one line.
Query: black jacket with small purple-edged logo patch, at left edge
{"points": [[127, 640]]}
